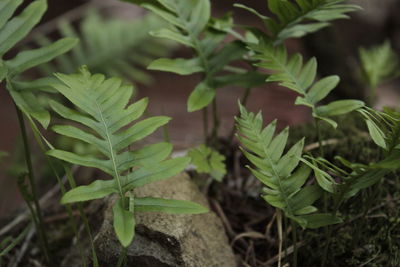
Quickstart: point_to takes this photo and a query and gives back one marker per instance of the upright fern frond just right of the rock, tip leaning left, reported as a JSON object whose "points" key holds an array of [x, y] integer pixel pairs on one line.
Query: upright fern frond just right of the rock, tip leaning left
{"points": [[283, 176]]}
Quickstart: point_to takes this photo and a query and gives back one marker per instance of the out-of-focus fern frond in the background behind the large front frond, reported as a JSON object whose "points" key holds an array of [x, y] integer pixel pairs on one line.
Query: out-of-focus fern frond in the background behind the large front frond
{"points": [[110, 46]]}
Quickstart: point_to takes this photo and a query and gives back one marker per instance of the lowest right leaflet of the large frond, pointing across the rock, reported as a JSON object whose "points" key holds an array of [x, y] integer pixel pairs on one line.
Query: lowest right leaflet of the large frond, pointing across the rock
{"points": [[172, 206]]}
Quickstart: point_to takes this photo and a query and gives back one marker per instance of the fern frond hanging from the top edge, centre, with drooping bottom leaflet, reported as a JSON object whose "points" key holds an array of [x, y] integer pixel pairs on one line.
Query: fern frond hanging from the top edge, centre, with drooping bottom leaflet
{"points": [[191, 25]]}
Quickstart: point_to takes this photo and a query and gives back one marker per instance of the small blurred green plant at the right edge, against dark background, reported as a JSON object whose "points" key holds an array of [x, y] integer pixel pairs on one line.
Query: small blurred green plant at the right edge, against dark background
{"points": [[378, 64]]}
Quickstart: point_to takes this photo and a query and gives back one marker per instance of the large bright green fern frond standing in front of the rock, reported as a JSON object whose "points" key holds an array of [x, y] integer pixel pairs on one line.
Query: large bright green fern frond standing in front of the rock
{"points": [[103, 111]]}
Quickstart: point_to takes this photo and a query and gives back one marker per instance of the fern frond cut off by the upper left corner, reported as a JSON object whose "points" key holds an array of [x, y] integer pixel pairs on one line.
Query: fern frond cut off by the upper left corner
{"points": [[14, 29]]}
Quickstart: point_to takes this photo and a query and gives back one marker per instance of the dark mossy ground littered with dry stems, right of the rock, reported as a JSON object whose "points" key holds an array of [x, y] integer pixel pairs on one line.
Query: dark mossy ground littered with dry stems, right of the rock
{"points": [[370, 234]]}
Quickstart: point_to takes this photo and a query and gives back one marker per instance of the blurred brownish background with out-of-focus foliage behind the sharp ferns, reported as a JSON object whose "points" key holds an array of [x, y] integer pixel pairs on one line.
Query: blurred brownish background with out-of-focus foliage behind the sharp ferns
{"points": [[115, 41]]}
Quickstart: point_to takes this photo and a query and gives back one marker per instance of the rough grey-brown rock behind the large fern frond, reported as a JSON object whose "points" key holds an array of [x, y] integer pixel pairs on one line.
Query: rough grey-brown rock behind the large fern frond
{"points": [[169, 240]]}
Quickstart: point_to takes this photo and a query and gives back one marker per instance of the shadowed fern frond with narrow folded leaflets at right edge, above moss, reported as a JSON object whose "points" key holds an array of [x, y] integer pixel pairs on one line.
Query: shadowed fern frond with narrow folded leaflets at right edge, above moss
{"points": [[384, 129]]}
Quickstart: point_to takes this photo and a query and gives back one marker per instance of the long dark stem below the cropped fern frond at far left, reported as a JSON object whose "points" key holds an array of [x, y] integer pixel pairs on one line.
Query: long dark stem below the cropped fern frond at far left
{"points": [[32, 183]]}
